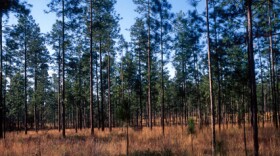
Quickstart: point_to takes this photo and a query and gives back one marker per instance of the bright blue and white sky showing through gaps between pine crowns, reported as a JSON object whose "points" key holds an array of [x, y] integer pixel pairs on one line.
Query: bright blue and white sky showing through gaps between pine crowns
{"points": [[125, 8]]}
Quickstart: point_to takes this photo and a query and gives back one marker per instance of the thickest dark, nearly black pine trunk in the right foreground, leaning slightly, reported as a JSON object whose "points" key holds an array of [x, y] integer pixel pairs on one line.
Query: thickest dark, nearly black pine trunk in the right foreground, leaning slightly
{"points": [[252, 76]]}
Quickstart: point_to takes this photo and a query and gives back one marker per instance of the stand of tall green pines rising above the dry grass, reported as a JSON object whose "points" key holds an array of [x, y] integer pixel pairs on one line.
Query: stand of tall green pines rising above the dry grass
{"points": [[226, 63]]}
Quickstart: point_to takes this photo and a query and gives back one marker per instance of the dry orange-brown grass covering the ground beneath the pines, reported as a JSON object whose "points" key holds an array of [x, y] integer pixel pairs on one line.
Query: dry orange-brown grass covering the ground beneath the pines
{"points": [[141, 142]]}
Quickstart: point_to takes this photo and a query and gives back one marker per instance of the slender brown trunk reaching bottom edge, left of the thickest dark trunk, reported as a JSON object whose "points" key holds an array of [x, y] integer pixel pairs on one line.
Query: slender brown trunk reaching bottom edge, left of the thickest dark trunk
{"points": [[210, 83]]}
